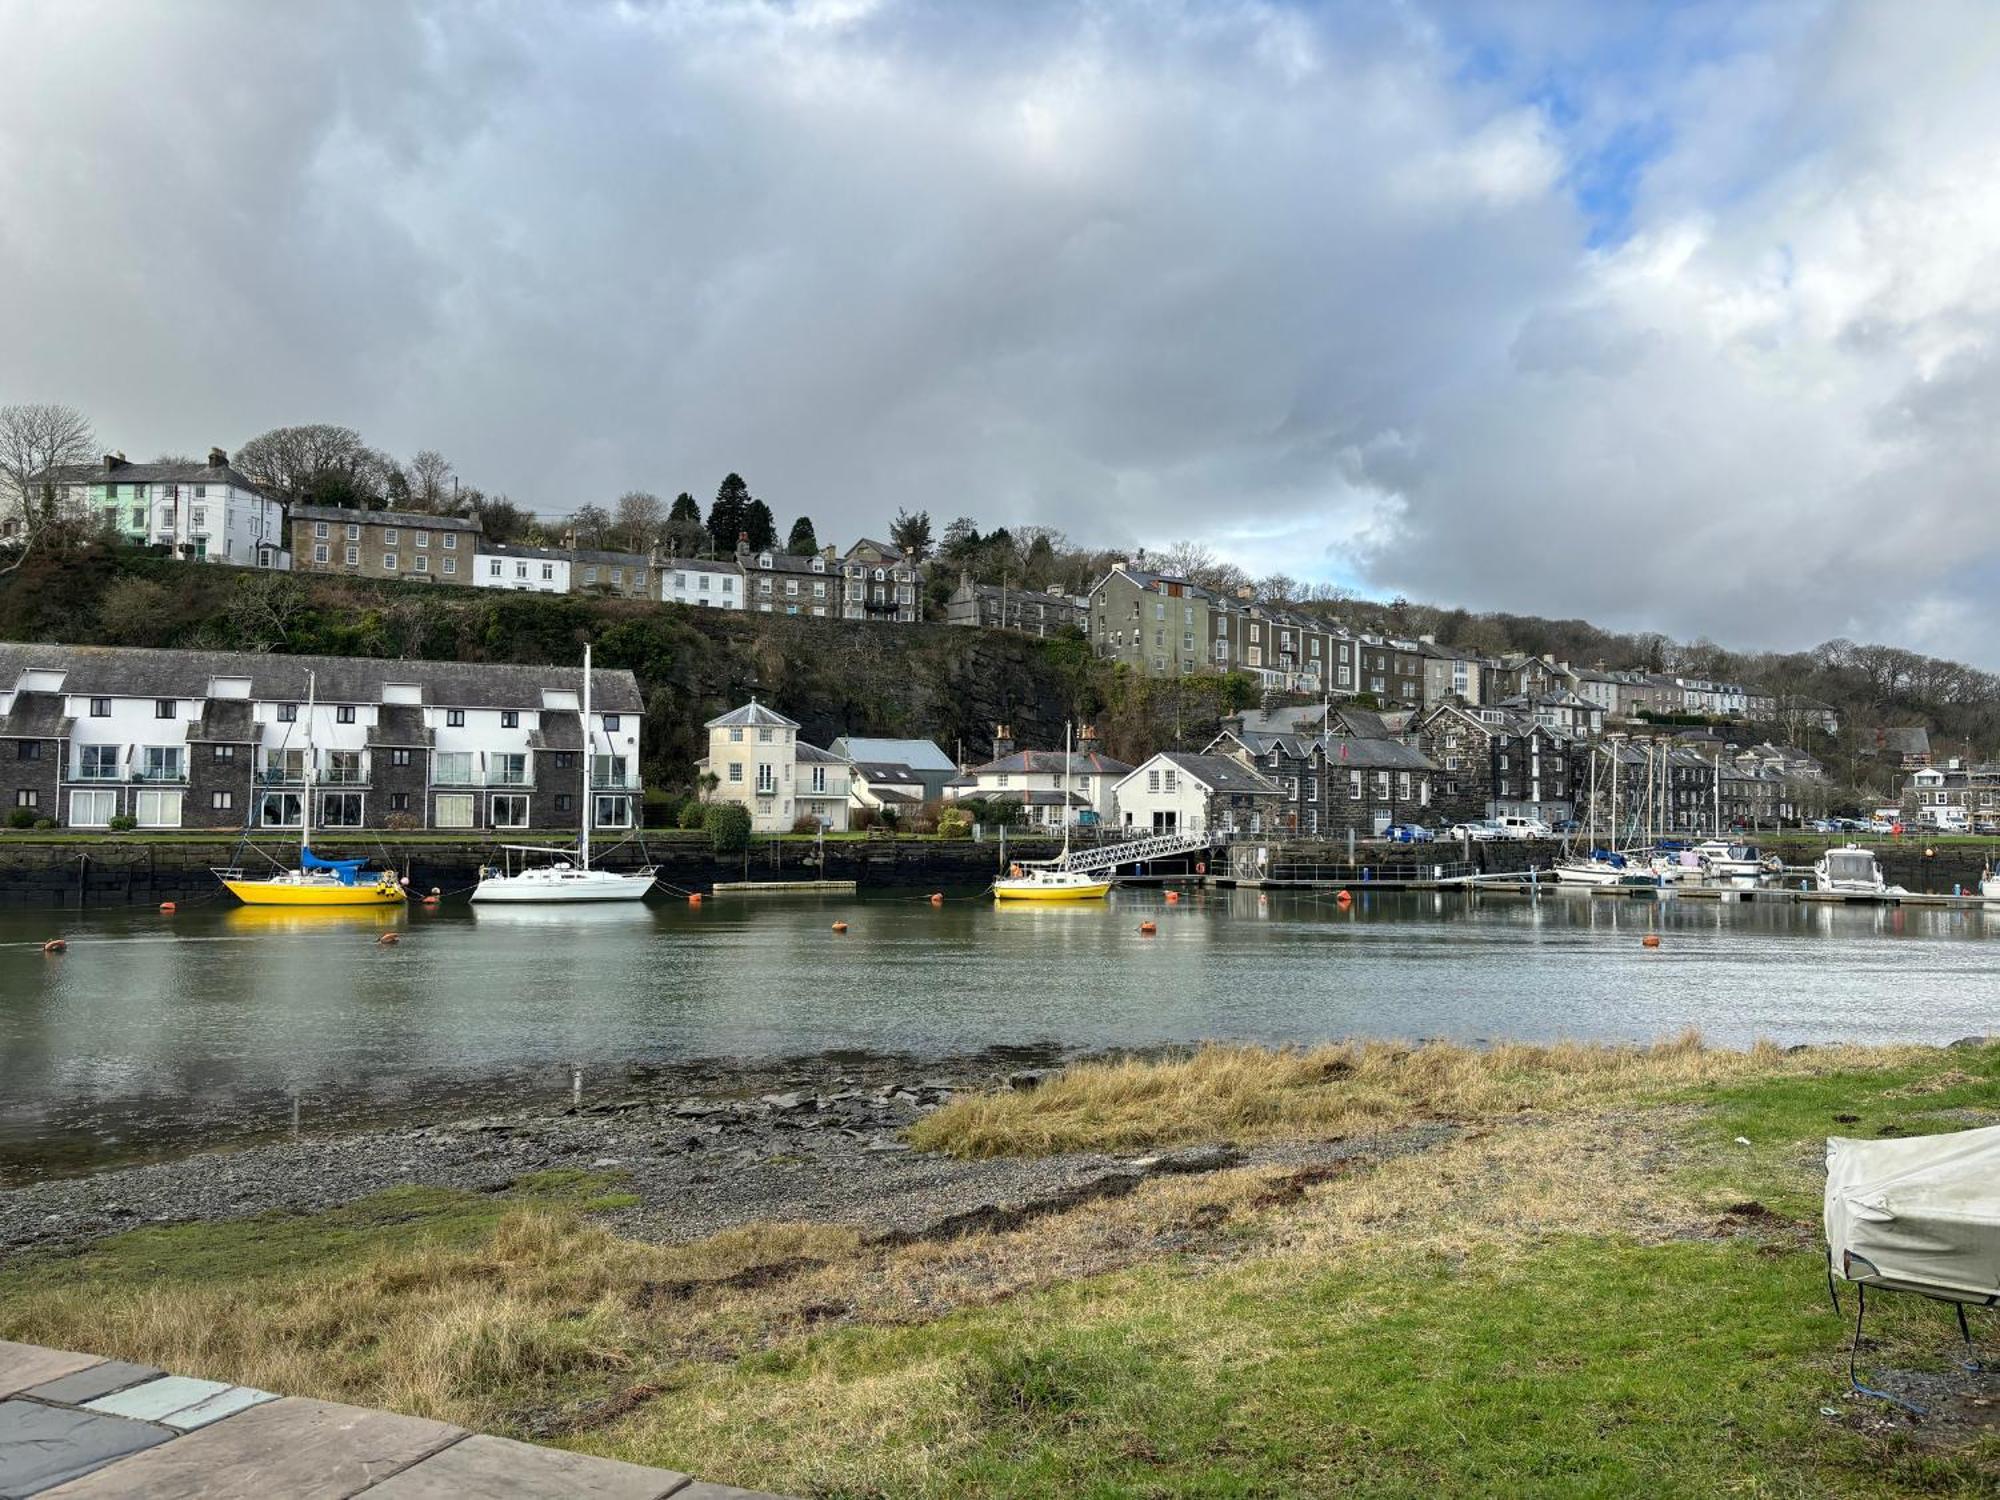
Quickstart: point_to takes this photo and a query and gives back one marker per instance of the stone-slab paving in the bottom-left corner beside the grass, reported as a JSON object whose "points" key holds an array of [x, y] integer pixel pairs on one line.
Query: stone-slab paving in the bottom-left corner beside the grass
{"points": [[75, 1427]]}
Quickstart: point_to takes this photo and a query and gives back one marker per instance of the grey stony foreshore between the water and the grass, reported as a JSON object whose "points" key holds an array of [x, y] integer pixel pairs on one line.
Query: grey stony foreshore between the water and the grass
{"points": [[811, 1145]]}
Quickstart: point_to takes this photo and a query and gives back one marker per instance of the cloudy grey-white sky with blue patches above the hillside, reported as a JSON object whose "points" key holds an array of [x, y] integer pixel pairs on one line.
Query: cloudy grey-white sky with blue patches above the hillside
{"points": [[1673, 317]]}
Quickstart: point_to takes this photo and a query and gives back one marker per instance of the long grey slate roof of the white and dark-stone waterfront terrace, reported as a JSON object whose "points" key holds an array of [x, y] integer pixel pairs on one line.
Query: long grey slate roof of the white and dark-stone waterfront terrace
{"points": [[143, 673]]}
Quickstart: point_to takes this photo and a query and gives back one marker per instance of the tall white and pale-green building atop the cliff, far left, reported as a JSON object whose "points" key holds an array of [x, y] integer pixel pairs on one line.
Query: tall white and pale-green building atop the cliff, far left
{"points": [[201, 513]]}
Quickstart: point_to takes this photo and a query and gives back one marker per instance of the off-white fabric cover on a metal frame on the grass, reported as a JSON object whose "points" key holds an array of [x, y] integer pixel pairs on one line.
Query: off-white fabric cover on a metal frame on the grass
{"points": [[1919, 1215]]}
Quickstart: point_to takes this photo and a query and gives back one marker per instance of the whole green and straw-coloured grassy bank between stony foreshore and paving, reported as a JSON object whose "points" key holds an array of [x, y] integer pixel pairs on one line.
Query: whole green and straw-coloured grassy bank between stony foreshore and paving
{"points": [[1589, 1289]]}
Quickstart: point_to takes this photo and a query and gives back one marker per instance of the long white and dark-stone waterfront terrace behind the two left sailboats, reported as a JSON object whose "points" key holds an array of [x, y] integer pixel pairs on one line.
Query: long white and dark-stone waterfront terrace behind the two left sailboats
{"points": [[93, 735]]}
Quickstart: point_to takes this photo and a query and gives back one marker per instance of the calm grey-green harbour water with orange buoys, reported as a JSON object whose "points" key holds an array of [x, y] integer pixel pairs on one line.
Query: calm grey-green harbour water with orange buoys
{"points": [[159, 1033]]}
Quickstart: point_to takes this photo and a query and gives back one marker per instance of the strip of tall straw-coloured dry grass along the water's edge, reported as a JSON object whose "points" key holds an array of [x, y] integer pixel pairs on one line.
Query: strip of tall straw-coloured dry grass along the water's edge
{"points": [[1245, 1093]]}
